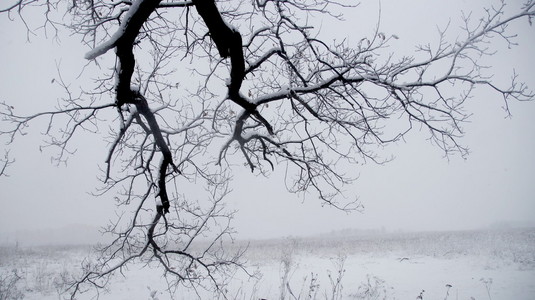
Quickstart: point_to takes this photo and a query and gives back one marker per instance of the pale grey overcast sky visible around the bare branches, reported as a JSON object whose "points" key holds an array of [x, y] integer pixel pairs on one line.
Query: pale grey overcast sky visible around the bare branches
{"points": [[419, 190]]}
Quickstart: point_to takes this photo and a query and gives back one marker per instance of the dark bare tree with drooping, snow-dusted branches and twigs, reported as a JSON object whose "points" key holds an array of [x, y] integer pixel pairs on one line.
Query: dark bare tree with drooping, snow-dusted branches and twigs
{"points": [[252, 81]]}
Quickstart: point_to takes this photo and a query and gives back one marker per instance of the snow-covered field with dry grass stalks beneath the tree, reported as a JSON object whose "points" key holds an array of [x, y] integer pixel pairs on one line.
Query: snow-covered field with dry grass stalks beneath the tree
{"points": [[497, 264]]}
